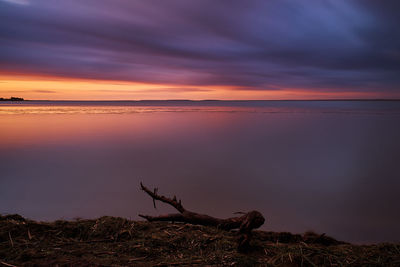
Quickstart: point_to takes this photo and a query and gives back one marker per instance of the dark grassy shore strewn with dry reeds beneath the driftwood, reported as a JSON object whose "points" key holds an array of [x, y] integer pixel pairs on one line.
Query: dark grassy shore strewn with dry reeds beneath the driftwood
{"points": [[111, 241]]}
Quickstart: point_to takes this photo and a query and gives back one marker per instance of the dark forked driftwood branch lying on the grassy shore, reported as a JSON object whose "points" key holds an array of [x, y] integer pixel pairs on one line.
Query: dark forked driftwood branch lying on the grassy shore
{"points": [[245, 223]]}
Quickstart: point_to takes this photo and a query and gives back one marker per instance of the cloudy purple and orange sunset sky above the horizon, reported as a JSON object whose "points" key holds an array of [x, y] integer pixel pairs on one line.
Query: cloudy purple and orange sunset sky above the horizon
{"points": [[179, 49]]}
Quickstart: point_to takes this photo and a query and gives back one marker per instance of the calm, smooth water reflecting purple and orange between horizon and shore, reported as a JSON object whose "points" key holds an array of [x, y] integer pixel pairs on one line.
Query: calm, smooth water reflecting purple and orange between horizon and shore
{"points": [[328, 166]]}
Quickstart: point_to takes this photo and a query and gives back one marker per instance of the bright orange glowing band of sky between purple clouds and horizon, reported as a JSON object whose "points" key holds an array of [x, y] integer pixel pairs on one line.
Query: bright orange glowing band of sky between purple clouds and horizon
{"points": [[41, 87]]}
